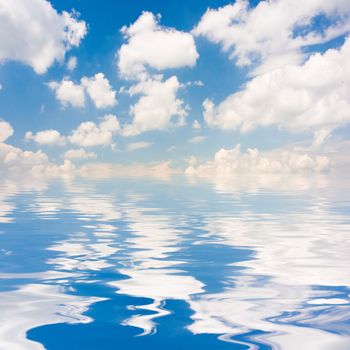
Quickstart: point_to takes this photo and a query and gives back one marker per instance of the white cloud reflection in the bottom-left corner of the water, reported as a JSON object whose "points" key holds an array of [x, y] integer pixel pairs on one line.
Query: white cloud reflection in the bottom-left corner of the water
{"points": [[34, 305]]}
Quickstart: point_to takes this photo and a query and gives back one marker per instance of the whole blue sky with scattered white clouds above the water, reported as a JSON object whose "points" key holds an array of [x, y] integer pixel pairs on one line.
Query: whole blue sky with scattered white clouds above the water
{"points": [[203, 86]]}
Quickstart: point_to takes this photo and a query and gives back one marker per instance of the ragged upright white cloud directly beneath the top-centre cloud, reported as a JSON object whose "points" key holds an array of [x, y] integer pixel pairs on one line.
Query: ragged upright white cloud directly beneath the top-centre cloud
{"points": [[157, 107]]}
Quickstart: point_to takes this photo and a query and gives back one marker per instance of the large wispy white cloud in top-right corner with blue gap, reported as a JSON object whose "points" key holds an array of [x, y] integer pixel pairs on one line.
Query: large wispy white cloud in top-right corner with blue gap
{"points": [[273, 33]]}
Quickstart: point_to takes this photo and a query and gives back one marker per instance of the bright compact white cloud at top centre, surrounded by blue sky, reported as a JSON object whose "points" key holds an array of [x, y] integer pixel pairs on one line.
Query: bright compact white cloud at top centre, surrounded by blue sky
{"points": [[151, 45]]}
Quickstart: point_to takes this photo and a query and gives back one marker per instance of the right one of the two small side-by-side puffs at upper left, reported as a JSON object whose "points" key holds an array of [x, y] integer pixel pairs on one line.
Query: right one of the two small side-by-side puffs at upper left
{"points": [[99, 90]]}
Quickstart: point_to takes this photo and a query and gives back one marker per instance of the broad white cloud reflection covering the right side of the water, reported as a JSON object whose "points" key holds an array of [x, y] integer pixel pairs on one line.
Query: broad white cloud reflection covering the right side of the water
{"points": [[293, 253]]}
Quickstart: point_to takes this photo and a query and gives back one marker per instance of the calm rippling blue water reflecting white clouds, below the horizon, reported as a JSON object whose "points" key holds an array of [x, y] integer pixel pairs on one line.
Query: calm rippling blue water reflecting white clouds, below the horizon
{"points": [[151, 264]]}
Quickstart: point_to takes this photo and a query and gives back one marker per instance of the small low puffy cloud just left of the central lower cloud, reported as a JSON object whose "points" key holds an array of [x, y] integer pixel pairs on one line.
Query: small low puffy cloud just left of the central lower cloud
{"points": [[89, 134]]}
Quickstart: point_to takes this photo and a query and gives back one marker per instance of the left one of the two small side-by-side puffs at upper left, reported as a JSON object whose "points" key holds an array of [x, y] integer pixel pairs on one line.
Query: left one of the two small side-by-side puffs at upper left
{"points": [[68, 93]]}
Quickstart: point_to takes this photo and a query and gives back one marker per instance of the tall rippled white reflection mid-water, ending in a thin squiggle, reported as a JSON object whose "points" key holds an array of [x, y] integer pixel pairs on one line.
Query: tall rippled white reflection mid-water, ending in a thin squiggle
{"points": [[155, 238]]}
